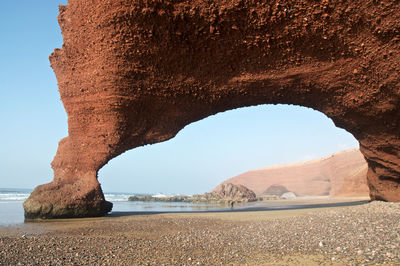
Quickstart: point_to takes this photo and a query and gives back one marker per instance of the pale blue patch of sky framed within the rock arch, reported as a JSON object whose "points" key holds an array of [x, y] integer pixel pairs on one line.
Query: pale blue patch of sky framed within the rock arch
{"points": [[207, 152]]}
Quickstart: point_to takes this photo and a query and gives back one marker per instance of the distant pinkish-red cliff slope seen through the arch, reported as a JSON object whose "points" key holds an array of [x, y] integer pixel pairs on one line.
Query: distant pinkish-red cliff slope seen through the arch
{"points": [[341, 174]]}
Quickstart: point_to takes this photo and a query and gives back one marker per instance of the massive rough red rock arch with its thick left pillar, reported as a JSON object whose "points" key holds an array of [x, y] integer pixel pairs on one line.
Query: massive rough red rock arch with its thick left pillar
{"points": [[132, 73]]}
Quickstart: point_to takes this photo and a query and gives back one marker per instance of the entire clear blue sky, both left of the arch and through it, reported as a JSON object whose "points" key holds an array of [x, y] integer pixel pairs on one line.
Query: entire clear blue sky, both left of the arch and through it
{"points": [[202, 155]]}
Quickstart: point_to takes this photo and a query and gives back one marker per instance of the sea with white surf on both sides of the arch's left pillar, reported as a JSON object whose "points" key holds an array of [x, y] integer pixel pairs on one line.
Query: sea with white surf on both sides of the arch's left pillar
{"points": [[12, 212]]}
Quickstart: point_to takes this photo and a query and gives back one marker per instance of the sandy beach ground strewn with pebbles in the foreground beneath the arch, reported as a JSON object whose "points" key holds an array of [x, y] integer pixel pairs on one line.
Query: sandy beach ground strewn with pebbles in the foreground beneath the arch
{"points": [[365, 234]]}
